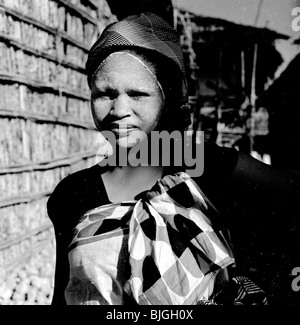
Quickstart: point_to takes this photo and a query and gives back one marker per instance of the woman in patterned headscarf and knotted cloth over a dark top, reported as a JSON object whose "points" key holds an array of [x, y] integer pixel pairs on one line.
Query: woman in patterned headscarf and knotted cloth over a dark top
{"points": [[151, 234]]}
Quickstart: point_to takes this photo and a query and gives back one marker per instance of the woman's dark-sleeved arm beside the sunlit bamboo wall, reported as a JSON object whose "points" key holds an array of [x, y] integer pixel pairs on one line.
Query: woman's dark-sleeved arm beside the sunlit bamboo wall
{"points": [[72, 197]]}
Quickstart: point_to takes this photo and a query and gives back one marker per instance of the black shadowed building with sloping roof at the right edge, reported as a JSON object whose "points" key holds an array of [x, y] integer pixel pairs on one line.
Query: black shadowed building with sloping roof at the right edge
{"points": [[281, 100]]}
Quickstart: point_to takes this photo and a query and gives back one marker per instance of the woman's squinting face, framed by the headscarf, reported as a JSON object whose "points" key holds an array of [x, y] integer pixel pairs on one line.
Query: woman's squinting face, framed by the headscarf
{"points": [[126, 98]]}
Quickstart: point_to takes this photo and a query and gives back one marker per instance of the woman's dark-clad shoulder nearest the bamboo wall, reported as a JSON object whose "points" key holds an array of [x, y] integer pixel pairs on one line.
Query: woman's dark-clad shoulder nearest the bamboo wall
{"points": [[75, 194]]}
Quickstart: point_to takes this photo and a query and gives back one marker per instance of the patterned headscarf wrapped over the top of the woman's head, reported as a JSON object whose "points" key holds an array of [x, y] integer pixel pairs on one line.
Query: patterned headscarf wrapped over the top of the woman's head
{"points": [[145, 31]]}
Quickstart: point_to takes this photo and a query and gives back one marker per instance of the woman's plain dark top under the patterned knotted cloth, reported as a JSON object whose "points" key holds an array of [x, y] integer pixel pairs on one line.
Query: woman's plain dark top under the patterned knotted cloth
{"points": [[257, 202]]}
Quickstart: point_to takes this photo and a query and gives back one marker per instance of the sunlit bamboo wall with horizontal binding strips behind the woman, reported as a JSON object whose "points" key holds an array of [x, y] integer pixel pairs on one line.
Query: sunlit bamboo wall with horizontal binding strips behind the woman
{"points": [[46, 130]]}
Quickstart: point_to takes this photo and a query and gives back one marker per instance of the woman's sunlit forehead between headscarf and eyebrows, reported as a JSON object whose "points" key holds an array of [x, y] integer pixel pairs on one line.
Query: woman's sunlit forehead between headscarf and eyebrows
{"points": [[120, 68]]}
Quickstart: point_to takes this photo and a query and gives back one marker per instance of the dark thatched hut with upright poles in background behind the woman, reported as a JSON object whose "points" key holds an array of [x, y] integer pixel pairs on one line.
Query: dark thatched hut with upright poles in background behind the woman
{"points": [[230, 66]]}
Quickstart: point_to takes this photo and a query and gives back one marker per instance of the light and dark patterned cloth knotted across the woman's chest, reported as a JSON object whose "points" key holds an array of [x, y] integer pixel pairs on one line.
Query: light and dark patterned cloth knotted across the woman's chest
{"points": [[166, 248]]}
